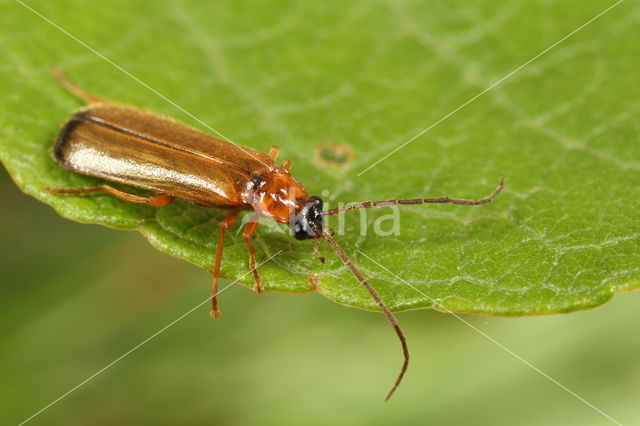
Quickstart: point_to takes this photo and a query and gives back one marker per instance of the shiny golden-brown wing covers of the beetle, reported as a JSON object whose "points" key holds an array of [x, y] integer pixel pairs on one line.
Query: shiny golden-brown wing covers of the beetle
{"points": [[124, 144]]}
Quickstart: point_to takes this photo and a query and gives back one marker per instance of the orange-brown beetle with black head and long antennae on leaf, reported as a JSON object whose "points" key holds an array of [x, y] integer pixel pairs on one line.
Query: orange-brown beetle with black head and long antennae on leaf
{"points": [[124, 144]]}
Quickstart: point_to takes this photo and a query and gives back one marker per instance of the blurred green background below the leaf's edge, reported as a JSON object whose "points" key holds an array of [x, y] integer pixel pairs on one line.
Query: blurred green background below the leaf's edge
{"points": [[75, 297]]}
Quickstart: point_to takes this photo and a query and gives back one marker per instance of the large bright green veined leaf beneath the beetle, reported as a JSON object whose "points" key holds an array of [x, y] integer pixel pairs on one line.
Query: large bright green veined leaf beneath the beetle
{"points": [[563, 235]]}
